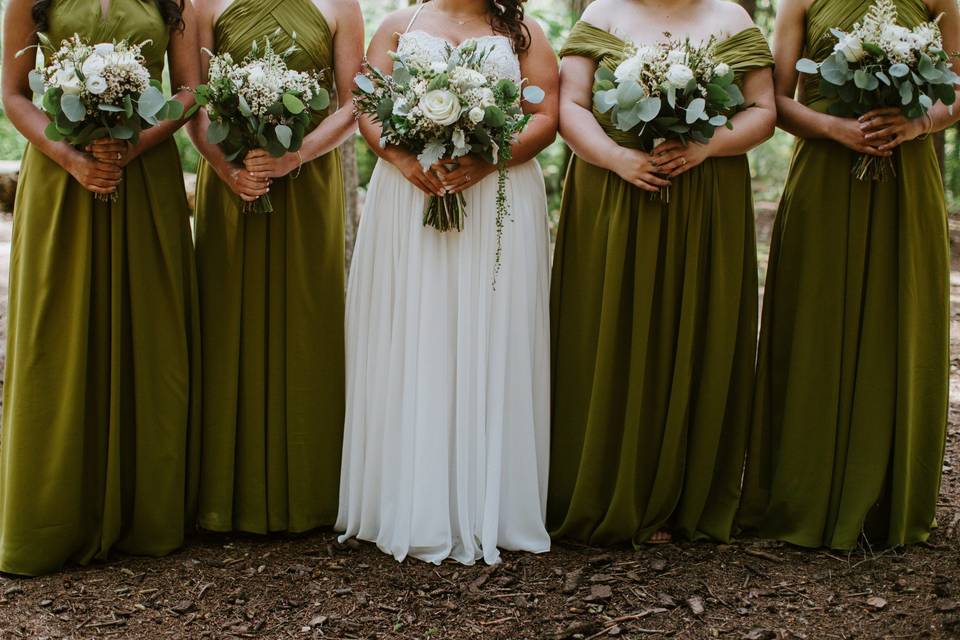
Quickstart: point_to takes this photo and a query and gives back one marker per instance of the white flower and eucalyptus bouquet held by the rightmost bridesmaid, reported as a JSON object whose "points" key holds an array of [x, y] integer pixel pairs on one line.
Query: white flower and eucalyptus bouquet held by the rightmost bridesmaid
{"points": [[879, 63]]}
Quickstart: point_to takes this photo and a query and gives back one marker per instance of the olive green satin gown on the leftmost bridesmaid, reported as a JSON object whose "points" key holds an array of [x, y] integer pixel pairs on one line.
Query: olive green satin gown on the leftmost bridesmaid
{"points": [[102, 384]]}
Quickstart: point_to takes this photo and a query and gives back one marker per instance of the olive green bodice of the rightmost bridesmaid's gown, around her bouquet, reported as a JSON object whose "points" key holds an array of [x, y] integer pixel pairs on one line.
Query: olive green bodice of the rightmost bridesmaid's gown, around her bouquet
{"points": [[824, 15]]}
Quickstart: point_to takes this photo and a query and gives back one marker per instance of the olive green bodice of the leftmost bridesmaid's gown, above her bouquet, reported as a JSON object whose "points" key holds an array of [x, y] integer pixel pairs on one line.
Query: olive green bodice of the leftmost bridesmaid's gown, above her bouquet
{"points": [[133, 20]]}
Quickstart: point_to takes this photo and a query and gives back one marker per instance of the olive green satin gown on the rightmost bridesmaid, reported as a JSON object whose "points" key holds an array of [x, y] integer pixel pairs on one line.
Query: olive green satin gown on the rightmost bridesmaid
{"points": [[851, 404]]}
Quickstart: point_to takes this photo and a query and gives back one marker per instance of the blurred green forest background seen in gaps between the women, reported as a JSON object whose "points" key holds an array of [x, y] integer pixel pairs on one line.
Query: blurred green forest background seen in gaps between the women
{"points": [[769, 163]]}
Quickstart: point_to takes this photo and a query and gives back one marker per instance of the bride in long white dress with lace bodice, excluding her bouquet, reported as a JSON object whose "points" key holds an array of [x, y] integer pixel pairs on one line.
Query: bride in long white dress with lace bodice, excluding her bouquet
{"points": [[446, 446]]}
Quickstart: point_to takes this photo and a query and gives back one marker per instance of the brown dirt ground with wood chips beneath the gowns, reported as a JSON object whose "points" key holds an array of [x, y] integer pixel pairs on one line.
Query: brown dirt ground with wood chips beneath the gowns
{"points": [[312, 587]]}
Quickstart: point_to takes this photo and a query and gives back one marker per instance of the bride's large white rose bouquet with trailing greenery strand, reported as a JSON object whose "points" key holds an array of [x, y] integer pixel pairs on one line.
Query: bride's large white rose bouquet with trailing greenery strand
{"points": [[448, 109]]}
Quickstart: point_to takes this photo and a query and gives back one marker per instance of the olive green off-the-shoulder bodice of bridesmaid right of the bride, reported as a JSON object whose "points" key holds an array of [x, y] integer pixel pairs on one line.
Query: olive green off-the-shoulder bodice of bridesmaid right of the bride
{"points": [[744, 51]]}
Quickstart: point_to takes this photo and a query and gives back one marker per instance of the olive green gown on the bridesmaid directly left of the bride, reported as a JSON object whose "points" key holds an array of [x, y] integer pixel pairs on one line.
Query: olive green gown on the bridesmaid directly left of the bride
{"points": [[272, 307]]}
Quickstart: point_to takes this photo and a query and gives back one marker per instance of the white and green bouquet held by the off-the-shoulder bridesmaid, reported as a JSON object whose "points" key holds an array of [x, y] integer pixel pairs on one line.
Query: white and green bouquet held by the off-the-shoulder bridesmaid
{"points": [[672, 90]]}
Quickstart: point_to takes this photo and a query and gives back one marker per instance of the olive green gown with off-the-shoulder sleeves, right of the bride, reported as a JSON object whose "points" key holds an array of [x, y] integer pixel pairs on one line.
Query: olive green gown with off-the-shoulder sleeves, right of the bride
{"points": [[654, 314]]}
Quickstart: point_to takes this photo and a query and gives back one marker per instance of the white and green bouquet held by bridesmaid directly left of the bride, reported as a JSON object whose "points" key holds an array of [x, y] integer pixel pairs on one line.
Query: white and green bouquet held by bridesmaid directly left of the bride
{"points": [[260, 103]]}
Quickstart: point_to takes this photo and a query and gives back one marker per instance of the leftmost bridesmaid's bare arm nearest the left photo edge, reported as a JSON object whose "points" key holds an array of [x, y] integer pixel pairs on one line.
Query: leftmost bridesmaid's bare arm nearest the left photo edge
{"points": [[19, 32]]}
